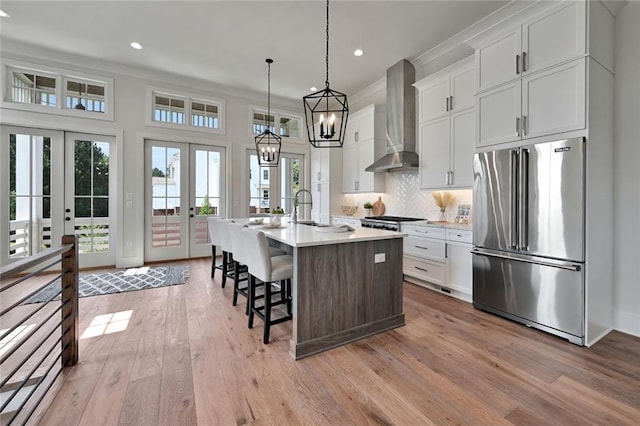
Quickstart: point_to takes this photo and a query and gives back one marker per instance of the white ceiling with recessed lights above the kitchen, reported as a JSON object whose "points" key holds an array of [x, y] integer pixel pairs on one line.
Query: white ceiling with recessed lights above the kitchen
{"points": [[227, 42]]}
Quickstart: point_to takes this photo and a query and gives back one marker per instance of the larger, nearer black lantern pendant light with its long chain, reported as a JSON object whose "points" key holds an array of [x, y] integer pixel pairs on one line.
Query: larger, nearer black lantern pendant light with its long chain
{"points": [[326, 112]]}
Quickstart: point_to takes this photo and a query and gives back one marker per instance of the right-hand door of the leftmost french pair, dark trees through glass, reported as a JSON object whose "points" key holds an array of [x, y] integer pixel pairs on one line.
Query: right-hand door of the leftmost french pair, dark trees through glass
{"points": [[90, 201]]}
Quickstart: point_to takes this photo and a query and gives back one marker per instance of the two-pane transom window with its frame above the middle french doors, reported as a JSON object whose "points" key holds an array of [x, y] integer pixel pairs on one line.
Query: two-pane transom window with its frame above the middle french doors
{"points": [[182, 110]]}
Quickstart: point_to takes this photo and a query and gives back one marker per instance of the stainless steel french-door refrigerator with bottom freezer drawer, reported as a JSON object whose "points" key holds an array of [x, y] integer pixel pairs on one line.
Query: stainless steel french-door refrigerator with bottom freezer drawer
{"points": [[529, 235]]}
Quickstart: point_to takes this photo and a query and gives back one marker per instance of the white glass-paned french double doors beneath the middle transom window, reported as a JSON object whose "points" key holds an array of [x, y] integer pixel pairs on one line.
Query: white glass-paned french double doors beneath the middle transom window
{"points": [[184, 184]]}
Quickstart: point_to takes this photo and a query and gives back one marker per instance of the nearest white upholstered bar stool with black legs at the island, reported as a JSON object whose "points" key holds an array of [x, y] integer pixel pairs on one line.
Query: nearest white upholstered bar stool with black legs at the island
{"points": [[269, 270]]}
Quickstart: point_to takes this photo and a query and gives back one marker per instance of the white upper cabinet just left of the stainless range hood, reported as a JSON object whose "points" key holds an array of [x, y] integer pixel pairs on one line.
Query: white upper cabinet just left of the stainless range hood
{"points": [[364, 142]]}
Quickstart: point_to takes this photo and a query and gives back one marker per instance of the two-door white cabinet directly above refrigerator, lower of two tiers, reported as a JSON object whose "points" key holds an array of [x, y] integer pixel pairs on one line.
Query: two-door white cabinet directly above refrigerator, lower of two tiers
{"points": [[548, 102]]}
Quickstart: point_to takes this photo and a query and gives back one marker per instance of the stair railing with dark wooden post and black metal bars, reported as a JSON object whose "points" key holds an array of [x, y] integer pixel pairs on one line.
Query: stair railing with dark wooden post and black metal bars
{"points": [[38, 328]]}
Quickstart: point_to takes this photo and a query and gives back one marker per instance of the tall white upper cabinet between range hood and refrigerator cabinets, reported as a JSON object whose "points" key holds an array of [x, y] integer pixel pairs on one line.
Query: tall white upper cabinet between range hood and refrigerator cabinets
{"points": [[447, 126]]}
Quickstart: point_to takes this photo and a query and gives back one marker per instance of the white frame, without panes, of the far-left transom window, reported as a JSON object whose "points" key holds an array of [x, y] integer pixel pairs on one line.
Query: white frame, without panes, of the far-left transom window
{"points": [[61, 75]]}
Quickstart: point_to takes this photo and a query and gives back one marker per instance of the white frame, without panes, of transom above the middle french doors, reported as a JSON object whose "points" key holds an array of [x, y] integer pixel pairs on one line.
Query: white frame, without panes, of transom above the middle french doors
{"points": [[188, 99]]}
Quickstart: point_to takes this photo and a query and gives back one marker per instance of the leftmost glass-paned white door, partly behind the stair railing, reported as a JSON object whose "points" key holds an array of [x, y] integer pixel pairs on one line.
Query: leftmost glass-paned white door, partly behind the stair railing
{"points": [[31, 191]]}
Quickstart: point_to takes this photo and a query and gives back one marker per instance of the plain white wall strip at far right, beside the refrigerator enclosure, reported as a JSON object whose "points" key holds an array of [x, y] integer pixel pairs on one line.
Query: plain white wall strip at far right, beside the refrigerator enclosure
{"points": [[627, 171]]}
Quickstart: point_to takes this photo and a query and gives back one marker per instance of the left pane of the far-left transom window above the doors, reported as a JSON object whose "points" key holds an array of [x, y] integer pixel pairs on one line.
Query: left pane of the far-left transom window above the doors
{"points": [[32, 88]]}
